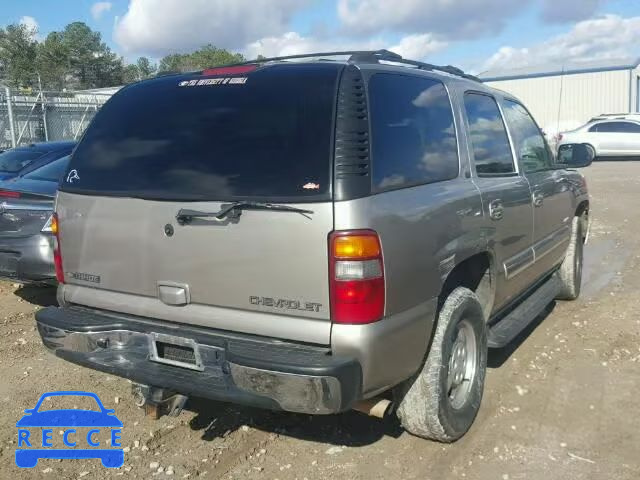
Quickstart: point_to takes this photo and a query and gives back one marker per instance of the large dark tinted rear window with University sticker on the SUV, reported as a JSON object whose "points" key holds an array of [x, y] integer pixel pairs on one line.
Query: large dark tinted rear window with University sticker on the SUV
{"points": [[269, 135]]}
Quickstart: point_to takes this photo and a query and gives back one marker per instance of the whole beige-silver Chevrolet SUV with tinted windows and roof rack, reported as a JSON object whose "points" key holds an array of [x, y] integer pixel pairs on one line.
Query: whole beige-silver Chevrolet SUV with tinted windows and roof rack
{"points": [[313, 236]]}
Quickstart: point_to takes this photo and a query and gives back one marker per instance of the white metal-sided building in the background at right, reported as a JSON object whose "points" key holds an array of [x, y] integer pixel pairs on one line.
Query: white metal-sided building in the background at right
{"points": [[564, 97]]}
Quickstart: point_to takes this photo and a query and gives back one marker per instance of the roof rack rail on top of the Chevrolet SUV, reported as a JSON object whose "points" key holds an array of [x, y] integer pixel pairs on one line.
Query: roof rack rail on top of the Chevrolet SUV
{"points": [[371, 56]]}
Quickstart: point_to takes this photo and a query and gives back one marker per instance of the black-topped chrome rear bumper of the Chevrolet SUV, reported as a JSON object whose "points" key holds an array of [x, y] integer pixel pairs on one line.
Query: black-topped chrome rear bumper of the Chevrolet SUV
{"points": [[236, 368]]}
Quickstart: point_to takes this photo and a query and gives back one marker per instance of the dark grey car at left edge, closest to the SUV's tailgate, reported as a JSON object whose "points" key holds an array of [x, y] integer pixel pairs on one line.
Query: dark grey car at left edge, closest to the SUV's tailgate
{"points": [[26, 241]]}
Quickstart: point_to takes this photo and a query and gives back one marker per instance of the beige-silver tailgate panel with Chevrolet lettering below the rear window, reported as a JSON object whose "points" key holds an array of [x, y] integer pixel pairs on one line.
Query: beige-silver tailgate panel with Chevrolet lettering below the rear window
{"points": [[265, 274]]}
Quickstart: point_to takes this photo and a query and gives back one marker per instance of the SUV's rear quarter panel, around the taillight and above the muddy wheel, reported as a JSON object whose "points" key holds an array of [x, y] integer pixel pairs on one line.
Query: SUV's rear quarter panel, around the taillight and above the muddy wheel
{"points": [[424, 231]]}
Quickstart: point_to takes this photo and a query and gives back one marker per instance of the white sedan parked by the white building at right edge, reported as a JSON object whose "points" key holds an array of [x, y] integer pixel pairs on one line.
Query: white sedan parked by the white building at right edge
{"points": [[609, 137]]}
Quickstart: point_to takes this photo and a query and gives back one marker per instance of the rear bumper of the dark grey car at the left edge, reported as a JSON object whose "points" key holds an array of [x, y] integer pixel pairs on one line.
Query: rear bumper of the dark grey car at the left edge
{"points": [[27, 259]]}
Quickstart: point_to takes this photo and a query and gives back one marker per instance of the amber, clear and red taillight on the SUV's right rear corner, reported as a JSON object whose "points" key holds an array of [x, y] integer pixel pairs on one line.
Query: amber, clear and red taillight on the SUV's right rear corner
{"points": [[356, 277]]}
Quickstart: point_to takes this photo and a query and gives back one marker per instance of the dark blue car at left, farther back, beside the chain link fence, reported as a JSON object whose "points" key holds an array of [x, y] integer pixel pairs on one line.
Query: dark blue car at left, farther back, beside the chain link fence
{"points": [[24, 159]]}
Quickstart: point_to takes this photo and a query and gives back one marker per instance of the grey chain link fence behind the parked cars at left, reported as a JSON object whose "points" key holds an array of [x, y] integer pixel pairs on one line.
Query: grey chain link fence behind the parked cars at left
{"points": [[46, 116]]}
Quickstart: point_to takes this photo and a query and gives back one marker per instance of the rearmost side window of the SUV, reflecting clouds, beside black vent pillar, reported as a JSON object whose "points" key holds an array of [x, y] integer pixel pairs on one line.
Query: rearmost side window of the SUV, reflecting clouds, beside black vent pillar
{"points": [[413, 134]]}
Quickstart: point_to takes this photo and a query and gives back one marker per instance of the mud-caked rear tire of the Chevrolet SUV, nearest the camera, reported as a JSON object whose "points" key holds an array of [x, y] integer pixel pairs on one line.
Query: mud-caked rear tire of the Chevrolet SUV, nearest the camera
{"points": [[426, 409]]}
